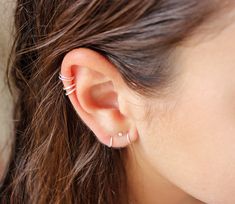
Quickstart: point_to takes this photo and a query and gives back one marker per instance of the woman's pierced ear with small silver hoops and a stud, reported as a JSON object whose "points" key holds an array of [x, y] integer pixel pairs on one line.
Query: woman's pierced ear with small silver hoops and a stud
{"points": [[97, 94]]}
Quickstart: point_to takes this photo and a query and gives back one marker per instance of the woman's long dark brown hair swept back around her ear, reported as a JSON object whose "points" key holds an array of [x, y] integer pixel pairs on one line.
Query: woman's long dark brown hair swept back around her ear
{"points": [[55, 157]]}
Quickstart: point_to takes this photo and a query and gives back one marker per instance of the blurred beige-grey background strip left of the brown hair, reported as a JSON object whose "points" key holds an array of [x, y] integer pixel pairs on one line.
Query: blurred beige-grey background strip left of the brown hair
{"points": [[6, 22]]}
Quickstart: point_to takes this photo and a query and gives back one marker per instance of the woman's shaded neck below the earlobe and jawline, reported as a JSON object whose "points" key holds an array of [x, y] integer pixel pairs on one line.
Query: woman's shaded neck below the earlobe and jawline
{"points": [[146, 185]]}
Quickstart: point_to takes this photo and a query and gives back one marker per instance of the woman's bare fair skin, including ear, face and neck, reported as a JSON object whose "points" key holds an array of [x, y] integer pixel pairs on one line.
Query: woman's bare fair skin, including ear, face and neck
{"points": [[183, 151]]}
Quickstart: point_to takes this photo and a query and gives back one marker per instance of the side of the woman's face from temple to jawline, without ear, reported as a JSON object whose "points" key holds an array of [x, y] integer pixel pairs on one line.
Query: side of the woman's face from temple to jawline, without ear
{"points": [[190, 136]]}
